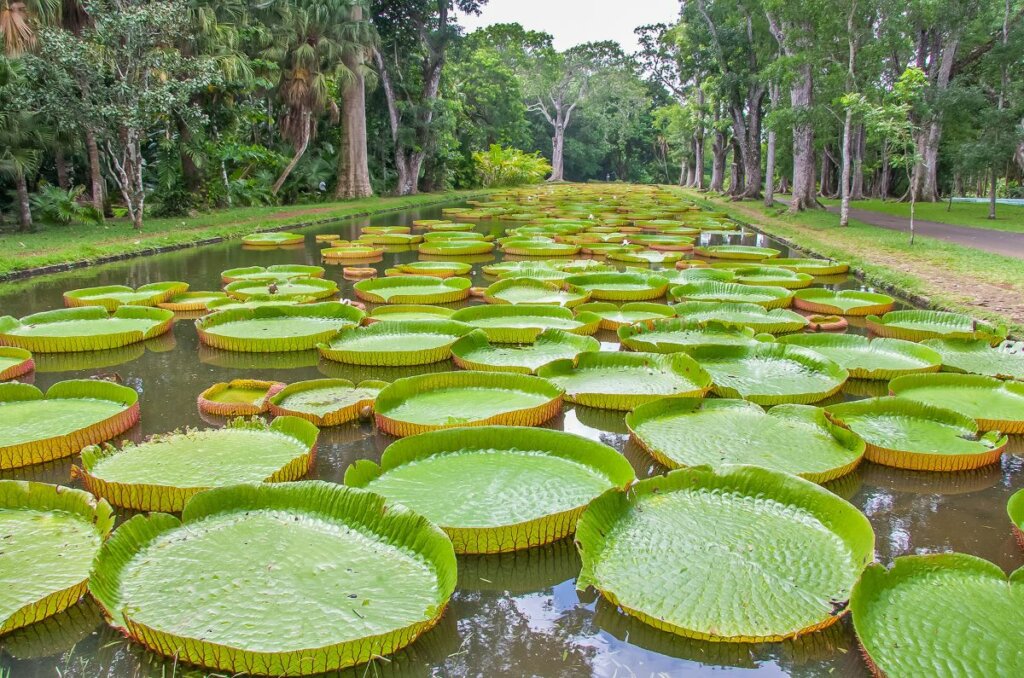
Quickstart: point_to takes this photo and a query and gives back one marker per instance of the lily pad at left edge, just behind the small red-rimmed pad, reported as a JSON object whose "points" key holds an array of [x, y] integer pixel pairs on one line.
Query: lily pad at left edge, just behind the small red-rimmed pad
{"points": [[90, 328]]}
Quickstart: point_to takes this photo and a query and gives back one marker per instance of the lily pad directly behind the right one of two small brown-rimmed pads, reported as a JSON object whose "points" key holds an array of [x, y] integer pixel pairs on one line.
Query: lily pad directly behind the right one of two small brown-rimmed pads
{"points": [[396, 344]]}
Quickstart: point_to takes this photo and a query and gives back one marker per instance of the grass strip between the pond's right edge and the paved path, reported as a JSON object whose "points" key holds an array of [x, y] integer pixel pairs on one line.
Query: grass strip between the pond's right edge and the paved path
{"points": [[949, 276]]}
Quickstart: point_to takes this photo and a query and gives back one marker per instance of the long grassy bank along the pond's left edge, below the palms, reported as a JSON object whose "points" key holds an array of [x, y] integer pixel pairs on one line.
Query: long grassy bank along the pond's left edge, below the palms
{"points": [[66, 244]]}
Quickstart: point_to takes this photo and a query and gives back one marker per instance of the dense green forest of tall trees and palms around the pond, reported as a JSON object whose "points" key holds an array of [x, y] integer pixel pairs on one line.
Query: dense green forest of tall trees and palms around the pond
{"points": [[134, 108]]}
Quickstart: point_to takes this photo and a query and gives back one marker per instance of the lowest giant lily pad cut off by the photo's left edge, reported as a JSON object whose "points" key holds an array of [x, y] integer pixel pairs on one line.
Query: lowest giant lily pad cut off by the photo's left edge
{"points": [[51, 537]]}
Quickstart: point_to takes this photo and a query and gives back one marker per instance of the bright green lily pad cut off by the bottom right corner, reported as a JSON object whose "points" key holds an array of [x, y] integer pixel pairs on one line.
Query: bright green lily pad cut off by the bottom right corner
{"points": [[941, 615]]}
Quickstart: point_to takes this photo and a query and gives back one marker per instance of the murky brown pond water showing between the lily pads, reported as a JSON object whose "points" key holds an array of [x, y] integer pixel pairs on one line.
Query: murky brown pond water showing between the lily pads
{"points": [[514, 615]]}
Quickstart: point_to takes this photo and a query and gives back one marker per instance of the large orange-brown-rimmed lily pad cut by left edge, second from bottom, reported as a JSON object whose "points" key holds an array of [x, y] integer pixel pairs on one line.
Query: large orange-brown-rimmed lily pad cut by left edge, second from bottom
{"points": [[36, 429]]}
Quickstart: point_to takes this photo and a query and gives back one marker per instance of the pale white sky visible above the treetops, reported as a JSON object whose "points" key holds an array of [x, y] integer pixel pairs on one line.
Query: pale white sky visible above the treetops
{"points": [[574, 22]]}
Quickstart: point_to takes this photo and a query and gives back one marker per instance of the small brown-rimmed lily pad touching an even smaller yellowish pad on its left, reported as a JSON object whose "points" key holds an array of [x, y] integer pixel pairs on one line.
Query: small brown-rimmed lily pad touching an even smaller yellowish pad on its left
{"points": [[327, 402]]}
